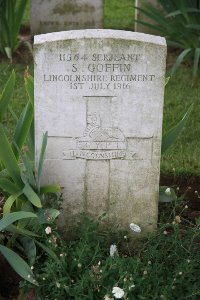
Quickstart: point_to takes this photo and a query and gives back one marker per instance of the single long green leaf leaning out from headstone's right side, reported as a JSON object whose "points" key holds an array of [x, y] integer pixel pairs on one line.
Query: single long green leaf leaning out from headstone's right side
{"points": [[170, 137]]}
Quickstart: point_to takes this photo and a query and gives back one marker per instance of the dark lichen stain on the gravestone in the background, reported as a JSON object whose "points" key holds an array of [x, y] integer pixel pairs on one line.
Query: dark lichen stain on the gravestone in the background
{"points": [[72, 8]]}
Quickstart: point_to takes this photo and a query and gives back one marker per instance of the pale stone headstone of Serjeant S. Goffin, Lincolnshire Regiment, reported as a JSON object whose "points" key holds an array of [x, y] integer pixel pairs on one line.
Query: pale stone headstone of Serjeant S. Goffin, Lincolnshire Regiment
{"points": [[99, 94]]}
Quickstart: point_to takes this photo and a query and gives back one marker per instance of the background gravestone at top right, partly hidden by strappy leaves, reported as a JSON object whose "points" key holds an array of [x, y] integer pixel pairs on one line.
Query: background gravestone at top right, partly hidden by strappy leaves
{"points": [[143, 18]]}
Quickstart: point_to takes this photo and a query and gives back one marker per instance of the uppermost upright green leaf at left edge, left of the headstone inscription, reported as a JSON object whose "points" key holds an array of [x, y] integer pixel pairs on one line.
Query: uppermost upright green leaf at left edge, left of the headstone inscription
{"points": [[7, 94]]}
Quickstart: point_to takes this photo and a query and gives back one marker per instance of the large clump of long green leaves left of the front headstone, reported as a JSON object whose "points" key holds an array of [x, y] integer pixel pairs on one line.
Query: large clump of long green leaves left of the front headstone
{"points": [[23, 216]]}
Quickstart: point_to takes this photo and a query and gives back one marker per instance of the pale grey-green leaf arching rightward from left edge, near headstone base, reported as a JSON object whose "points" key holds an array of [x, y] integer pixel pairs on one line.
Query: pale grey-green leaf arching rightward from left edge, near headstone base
{"points": [[8, 219]]}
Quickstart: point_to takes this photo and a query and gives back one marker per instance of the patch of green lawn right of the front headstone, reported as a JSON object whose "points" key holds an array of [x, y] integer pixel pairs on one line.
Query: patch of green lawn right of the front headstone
{"points": [[180, 93]]}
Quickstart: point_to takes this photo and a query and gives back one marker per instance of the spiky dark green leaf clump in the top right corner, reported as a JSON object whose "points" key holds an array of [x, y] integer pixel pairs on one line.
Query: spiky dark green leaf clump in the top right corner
{"points": [[179, 22]]}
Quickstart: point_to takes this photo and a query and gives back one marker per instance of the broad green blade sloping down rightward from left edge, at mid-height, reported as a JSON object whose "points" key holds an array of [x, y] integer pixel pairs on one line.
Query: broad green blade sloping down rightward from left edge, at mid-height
{"points": [[8, 158]]}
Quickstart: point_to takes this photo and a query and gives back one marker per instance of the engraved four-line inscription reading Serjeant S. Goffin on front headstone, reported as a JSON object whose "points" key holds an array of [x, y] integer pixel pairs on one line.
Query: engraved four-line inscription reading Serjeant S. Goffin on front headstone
{"points": [[99, 72]]}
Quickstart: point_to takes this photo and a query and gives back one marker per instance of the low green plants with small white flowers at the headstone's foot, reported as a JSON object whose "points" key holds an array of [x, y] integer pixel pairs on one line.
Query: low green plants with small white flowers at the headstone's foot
{"points": [[163, 265]]}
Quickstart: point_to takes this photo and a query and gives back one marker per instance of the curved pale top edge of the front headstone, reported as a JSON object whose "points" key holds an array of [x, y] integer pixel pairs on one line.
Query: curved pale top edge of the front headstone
{"points": [[99, 34]]}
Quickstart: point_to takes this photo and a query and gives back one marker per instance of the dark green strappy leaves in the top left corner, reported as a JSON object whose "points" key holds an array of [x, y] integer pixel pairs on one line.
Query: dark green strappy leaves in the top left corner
{"points": [[11, 16]]}
